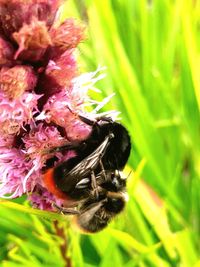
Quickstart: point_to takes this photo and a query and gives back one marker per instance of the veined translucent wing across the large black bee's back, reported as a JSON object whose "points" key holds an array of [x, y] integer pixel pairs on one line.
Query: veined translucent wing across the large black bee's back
{"points": [[84, 168]]}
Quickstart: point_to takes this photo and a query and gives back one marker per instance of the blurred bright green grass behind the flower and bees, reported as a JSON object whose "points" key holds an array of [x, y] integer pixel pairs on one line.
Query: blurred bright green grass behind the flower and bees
{"points": [[152, 53]]}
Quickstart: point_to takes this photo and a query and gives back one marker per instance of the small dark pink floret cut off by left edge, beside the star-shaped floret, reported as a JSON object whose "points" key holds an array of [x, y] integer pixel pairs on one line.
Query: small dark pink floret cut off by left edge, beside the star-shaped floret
{"points": [[6, 52]]}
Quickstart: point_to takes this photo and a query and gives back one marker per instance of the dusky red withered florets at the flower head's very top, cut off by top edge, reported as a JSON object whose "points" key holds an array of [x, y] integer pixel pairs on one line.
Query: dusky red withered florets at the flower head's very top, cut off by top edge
{"points": [[15, 13]]}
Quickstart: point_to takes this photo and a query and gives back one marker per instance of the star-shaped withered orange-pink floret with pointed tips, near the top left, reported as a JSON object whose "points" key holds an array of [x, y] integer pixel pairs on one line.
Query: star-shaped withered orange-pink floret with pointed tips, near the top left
{"points": [[33, 40]]}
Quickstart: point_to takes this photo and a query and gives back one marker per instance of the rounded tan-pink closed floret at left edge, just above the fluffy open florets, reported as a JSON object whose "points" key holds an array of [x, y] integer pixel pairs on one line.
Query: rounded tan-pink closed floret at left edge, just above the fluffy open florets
{"points": [[16, 80]]}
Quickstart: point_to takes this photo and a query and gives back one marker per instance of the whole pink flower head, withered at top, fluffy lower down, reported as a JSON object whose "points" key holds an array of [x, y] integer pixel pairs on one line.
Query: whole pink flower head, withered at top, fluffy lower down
{"points": [[40, 95]]}
